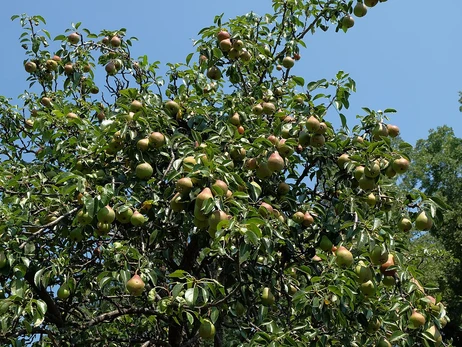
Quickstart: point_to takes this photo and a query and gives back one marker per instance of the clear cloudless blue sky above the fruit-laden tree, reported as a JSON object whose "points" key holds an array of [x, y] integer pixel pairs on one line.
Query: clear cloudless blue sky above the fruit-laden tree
{"points": [[405, 54]]}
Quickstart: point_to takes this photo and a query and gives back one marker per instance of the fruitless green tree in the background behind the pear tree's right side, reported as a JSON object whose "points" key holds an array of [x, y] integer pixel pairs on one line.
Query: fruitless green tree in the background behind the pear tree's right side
{"points": [[437, 170]]}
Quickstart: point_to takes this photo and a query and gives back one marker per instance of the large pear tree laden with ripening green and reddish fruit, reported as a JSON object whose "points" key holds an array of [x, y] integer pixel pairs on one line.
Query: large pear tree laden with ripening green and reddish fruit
{"points": [[218, 206]]}
